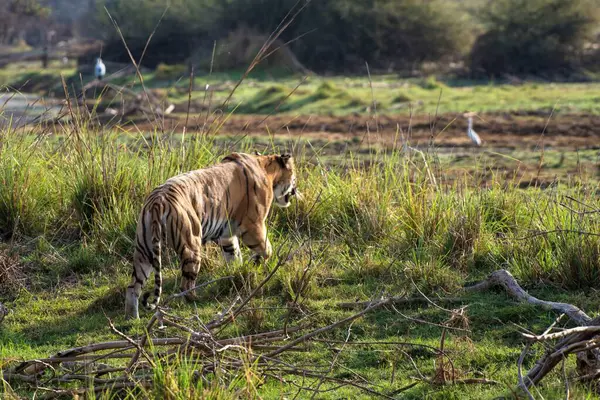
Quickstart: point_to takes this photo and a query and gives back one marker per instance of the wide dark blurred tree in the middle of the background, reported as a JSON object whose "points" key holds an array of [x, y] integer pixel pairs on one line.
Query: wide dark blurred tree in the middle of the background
{"points": [[342, 35]]}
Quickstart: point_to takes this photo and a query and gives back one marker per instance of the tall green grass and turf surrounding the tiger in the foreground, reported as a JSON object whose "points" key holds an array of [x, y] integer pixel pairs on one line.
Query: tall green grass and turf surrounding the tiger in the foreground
{"points": [[69, 203]]}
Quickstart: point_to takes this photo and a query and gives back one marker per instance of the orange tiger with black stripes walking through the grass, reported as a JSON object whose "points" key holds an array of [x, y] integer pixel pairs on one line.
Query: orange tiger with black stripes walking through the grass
{"points": [[219, 204]]}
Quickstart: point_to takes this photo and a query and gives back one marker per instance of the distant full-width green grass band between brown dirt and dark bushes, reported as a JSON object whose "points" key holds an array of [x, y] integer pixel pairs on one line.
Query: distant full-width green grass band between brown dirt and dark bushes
{"points": [[263, 91]]}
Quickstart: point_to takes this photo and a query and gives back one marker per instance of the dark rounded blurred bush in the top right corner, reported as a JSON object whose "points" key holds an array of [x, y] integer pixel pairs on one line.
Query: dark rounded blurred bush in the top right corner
{"points": [[532, 36]]}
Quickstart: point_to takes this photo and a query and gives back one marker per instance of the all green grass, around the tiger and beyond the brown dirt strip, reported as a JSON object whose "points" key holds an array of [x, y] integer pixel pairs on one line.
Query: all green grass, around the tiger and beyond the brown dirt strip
{"points": [[377, 219]]}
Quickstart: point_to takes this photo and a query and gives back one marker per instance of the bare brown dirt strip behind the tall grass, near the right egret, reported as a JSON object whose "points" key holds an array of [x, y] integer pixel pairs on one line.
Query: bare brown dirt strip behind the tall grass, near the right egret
{"points": [[506, 130]]}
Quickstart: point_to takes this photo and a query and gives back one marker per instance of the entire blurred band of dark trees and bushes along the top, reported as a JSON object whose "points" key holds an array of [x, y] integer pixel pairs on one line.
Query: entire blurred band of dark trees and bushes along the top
{"points": [[553, 39]]}
